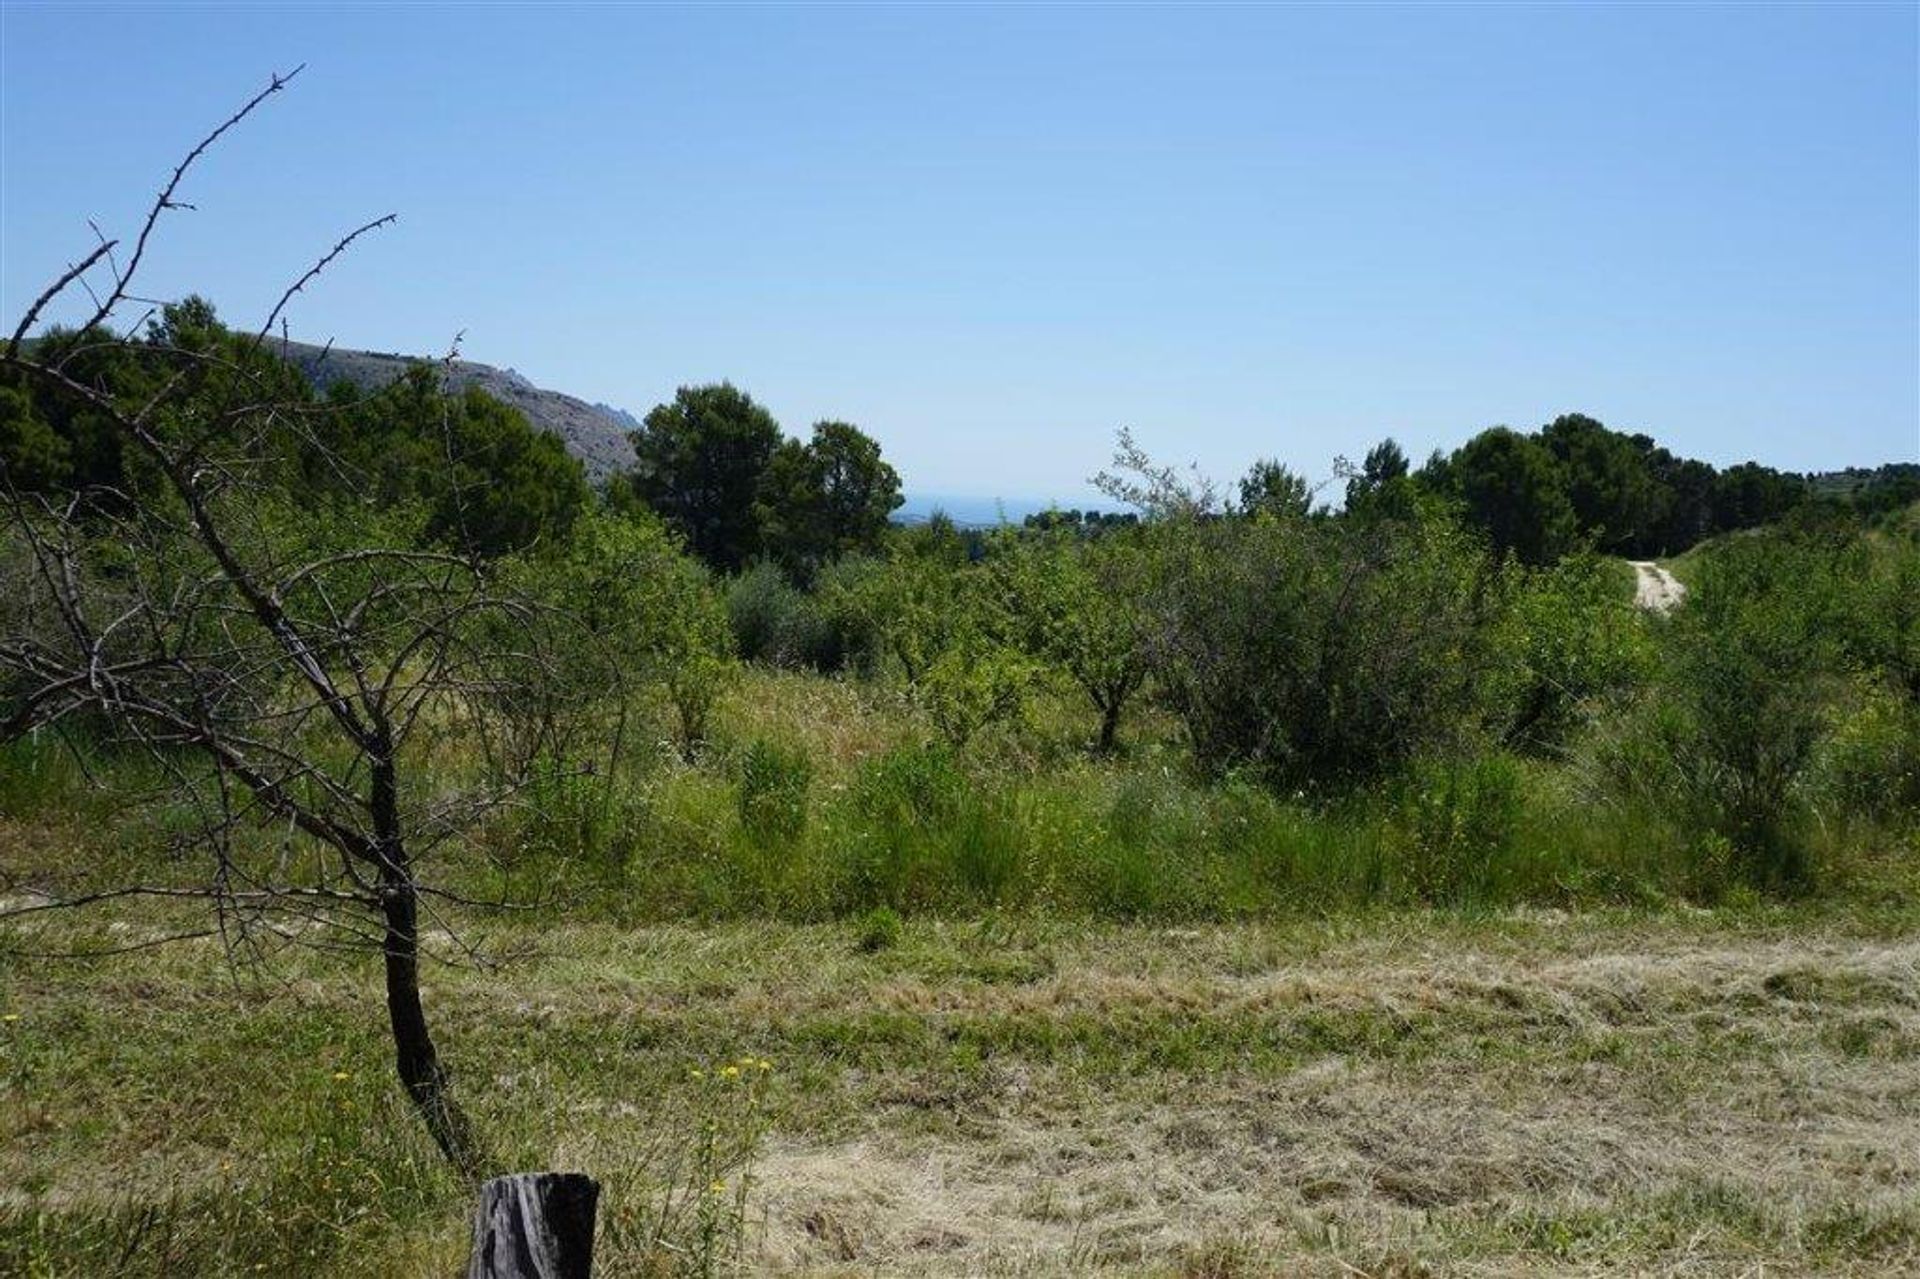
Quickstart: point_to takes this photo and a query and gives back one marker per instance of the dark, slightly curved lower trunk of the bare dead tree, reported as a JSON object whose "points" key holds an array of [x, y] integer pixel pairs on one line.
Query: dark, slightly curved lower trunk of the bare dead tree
{"points": [[414, 1048]]}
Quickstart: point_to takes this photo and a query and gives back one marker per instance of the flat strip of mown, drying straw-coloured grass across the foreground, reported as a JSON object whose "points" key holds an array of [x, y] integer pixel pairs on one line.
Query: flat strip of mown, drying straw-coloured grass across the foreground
{"points": [[1675, 1094]]}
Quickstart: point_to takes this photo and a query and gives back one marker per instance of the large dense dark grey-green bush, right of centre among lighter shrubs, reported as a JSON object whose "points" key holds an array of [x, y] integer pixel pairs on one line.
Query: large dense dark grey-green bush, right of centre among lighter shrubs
{"points": [[1318, 652]]}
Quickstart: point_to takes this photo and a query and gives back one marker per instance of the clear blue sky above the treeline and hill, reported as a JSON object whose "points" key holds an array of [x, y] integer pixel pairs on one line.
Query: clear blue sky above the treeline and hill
{"points": [[992, 235]]}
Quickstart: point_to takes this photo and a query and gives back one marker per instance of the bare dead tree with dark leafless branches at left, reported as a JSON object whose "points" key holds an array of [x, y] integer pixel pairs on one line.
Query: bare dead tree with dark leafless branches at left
{"points": [[295, 681]]}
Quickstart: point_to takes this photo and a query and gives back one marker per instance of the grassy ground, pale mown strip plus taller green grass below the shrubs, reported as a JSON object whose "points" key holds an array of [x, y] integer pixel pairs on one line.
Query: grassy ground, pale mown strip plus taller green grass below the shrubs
{"points": [[1253, 1055]]}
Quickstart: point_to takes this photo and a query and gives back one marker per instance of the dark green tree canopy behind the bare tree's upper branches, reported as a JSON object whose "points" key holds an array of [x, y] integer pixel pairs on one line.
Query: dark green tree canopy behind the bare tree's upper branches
{"points": [[473, 471]]}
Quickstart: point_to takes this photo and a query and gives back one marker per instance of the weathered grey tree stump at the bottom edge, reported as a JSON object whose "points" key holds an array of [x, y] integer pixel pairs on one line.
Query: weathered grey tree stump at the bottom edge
{"points": [[535, 1226]]}
